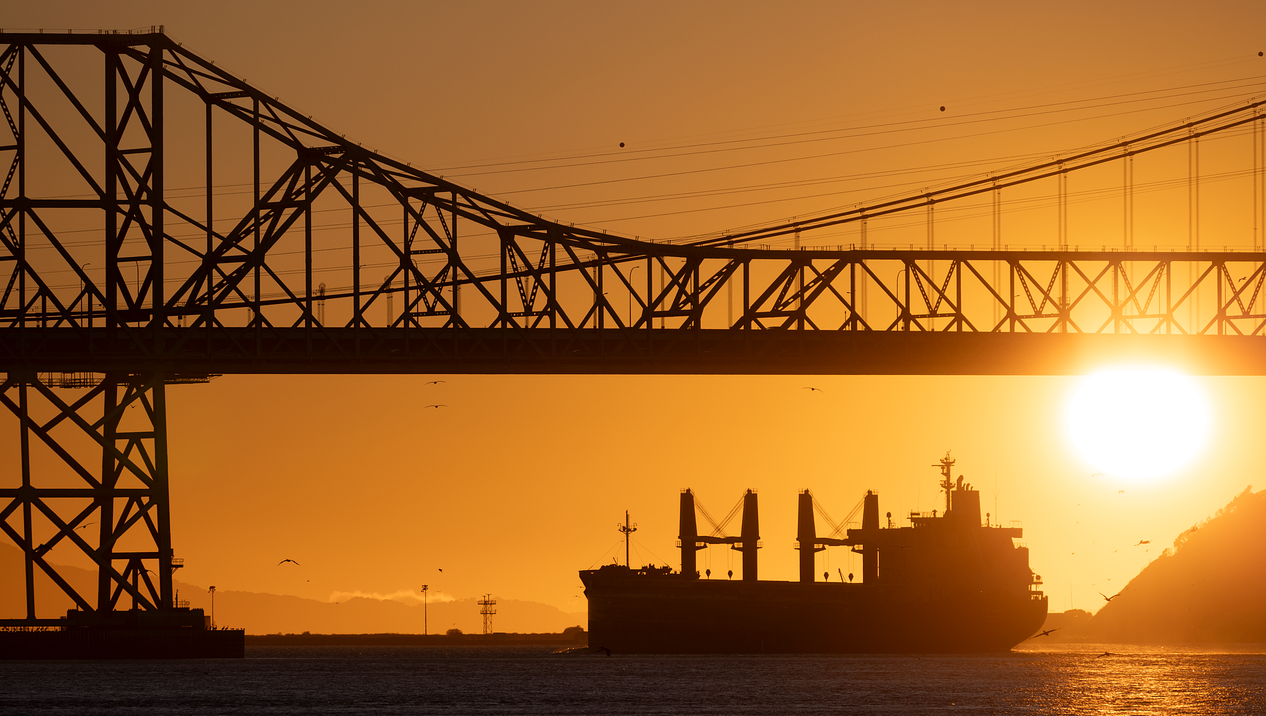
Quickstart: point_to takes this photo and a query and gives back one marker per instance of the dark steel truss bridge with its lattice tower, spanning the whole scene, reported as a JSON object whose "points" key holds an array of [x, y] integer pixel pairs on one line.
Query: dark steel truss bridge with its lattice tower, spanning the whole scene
{"points": [[128, 266]]}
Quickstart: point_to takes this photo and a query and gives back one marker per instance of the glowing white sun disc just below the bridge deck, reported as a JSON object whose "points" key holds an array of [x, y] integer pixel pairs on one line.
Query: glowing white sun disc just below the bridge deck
{"points": [[1139, 423]]}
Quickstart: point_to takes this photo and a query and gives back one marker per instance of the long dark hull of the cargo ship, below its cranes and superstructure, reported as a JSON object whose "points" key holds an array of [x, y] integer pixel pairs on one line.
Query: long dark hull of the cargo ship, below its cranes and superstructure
{"points": [[670, 614]]}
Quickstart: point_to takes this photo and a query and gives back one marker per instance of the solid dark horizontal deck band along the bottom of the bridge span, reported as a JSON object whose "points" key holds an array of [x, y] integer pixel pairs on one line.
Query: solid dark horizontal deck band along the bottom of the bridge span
{"points": [[616, 352]]}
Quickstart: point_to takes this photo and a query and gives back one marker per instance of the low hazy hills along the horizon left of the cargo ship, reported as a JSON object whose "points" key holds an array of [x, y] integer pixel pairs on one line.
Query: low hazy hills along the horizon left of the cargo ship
{"points": [[274, 614]]}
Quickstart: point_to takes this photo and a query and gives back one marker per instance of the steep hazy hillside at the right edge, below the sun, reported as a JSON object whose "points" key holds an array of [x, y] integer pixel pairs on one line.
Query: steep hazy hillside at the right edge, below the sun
{"points": [[1211, 586]]}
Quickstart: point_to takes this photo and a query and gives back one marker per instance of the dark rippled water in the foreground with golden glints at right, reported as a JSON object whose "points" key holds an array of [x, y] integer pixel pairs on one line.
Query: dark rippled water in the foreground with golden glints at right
{"points": [[531, 680]]}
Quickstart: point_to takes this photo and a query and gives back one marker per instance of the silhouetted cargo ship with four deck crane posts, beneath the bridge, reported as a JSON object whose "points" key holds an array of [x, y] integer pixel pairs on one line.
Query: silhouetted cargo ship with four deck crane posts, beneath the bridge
{"points": [[948, 584]]}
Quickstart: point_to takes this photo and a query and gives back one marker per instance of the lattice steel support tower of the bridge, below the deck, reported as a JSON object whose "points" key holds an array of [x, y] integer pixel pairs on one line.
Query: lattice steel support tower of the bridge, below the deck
{"points": [[117, 515]]}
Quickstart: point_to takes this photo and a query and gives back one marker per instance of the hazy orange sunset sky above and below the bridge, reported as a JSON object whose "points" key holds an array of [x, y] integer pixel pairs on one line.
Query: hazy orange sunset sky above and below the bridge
{"points": [[521, 483]]}
